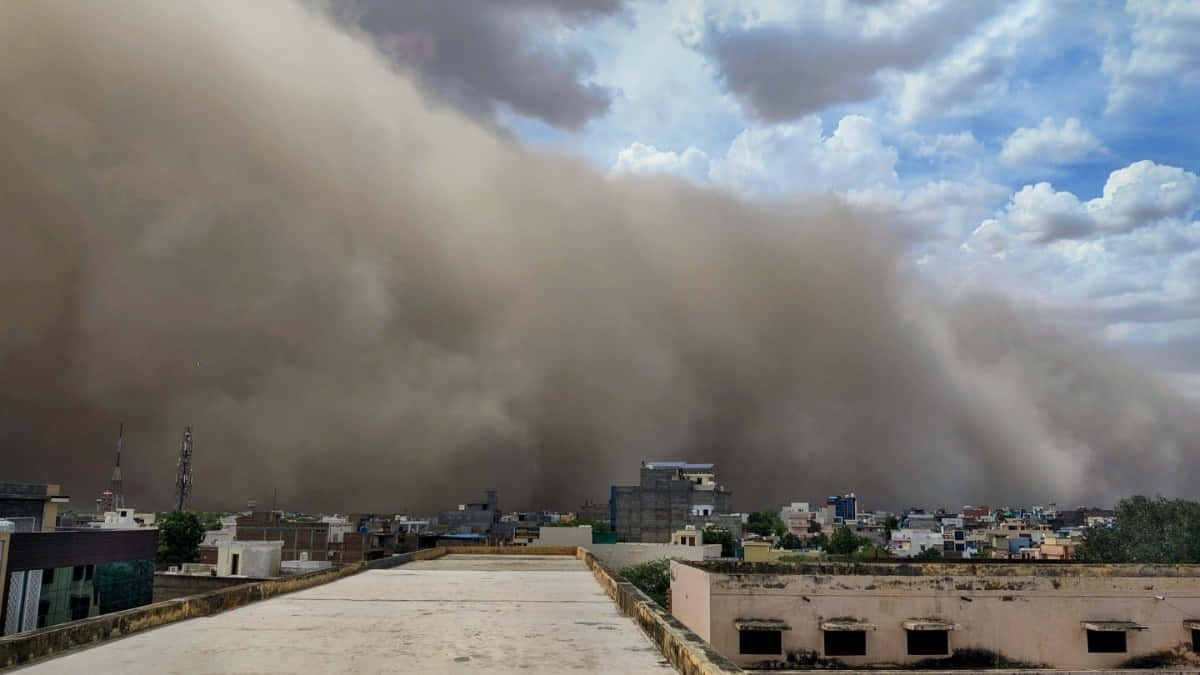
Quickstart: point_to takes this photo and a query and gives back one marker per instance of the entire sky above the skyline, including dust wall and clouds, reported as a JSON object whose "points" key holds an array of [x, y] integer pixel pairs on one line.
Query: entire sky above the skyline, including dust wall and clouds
{"points": [[362, 254]]}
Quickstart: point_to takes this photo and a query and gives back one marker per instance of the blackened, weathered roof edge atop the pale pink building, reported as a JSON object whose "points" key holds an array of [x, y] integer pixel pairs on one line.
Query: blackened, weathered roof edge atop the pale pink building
{"points": [[946, 569]]}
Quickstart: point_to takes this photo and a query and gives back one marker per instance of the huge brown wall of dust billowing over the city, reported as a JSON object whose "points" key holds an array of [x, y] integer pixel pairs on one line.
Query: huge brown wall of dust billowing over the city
{"points": [[236, 216]]}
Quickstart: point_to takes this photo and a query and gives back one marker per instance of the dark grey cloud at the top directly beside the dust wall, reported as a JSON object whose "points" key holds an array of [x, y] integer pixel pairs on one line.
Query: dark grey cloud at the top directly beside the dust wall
{"points": [[479, 56]]}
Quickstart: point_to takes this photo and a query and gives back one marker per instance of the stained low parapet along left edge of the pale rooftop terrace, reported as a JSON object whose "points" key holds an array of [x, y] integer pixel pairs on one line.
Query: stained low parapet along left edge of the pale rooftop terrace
{"points": [[25, 648]]}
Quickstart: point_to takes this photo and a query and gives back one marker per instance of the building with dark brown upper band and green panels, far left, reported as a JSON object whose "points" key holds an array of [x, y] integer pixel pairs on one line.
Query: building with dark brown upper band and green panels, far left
{"points": [[52, 578]]}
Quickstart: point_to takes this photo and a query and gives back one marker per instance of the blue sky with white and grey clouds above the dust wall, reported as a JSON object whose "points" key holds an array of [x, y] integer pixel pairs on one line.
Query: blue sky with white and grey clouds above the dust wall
{"points": [[1043, 148]]}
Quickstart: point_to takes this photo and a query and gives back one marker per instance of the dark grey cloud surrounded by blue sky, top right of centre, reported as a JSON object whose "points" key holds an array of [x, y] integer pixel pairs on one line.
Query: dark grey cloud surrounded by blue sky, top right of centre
{"points": [[785, 71]]}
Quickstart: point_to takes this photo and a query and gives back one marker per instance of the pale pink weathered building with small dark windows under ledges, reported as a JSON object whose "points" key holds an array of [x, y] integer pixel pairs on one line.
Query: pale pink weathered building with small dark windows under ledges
{"points": [[940, 616]]}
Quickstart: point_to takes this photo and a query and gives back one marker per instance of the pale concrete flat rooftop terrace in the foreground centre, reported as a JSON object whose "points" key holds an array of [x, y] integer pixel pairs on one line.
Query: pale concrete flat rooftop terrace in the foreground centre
{"points": [[455, 614]]}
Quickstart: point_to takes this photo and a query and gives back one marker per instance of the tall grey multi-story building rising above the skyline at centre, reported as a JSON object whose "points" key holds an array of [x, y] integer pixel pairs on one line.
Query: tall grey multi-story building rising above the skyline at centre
{"points": [[671, 495]]}
